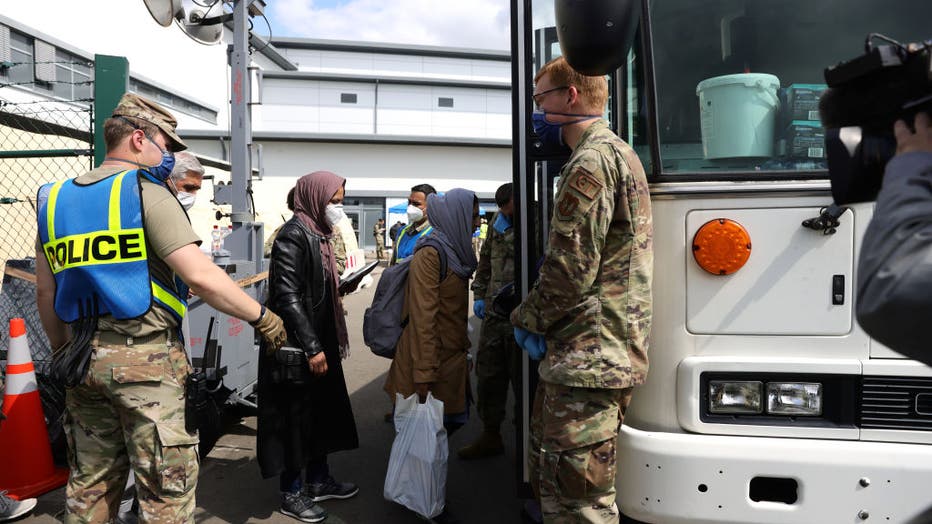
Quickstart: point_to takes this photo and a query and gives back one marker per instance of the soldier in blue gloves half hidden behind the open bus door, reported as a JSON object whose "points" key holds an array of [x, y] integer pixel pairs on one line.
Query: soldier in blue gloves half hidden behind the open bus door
{"points": [[497, 361]]}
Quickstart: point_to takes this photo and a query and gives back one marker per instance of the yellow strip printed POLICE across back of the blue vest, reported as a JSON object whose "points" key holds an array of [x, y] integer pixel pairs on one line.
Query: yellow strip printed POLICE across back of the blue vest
{"points": [[96, 248]]}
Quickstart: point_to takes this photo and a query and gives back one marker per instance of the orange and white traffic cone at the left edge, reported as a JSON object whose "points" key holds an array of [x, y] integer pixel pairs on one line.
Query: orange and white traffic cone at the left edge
{"points": [[26, 467]]}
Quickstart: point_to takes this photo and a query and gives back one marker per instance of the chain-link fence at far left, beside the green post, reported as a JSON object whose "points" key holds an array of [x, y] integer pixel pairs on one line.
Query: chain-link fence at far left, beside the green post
{"points": [[42, 139]]}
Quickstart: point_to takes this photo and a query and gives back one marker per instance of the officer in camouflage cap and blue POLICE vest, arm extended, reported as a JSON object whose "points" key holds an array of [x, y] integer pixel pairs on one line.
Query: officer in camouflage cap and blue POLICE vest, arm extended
{"points": [[115, 255]]}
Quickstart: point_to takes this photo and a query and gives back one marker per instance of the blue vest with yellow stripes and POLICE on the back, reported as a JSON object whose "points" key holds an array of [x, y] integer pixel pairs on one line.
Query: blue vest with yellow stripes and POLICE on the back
{"points": [[93, 237]]}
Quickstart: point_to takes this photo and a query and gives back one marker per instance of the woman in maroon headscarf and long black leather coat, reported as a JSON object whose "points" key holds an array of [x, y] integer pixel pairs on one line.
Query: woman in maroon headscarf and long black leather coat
{"points": [[304, 408]]}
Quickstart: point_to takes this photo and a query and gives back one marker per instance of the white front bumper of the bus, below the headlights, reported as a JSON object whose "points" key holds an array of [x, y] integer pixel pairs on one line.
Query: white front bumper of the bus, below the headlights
{"points": [[674, 477]]}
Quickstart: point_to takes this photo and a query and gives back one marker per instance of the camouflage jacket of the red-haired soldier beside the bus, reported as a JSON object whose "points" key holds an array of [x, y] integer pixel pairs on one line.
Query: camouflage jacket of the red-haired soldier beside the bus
{"points": [[592, 300]]}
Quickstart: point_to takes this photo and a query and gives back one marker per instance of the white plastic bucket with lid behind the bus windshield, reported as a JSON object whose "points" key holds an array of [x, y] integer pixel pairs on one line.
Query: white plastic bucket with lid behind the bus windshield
{"points": [[738, 114]]}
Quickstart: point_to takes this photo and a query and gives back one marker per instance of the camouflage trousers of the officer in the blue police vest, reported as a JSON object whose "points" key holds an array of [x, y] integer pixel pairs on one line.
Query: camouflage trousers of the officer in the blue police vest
{"points": [[129, 412]]}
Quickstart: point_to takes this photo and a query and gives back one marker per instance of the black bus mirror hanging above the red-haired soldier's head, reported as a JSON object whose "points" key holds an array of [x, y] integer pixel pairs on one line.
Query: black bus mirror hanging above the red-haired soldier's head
{"points": [[596, 35]]}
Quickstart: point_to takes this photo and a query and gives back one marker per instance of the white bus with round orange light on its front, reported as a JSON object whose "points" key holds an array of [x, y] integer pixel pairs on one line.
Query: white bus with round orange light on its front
{"points": [[765, 401]]}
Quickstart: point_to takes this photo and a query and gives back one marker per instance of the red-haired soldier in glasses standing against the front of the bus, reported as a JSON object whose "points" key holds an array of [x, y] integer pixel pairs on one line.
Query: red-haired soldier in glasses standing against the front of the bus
{"points": [[588, 315]]}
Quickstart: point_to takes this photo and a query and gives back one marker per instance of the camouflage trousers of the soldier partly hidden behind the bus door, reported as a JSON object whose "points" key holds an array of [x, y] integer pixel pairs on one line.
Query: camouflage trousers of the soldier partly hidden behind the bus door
{"points": [[498, 363]]}
